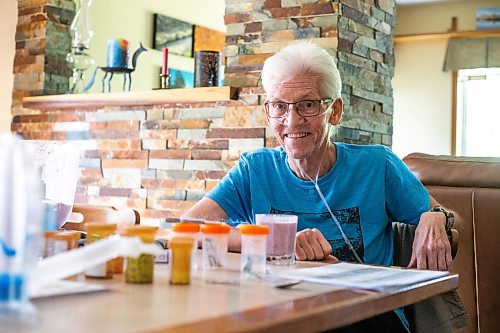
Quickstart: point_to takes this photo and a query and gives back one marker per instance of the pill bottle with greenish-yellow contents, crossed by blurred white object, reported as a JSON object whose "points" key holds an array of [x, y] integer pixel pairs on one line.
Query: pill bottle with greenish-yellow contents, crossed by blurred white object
{"points": [[140, 270]]}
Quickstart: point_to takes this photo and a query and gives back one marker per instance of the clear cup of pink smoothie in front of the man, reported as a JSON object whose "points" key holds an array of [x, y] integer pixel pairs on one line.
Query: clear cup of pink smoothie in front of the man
{"points": [[281, 239]]}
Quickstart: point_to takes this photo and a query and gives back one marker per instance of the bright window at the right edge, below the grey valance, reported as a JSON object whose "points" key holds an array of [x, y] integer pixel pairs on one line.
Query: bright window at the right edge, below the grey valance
{"points": [[478, 112]]}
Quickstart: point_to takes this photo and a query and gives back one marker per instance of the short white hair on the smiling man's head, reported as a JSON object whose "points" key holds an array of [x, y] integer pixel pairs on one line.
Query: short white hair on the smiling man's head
{"points": [[302, 58]]}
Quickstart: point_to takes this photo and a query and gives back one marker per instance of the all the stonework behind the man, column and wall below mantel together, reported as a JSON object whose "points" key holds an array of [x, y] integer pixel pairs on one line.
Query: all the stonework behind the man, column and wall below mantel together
{"points": [[162, 159]]}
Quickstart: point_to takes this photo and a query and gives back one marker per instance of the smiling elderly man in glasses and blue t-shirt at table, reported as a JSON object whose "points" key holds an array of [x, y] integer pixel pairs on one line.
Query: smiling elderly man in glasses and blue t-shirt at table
{"points": [[345, 196]]}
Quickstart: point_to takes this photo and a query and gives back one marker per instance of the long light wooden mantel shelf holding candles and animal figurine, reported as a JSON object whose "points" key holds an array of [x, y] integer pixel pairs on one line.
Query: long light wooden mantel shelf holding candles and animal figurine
{"points": [[132, 98]]}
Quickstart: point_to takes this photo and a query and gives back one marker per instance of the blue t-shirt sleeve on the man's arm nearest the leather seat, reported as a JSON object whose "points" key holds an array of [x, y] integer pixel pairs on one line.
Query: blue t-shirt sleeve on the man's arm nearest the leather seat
{"points": [[406, 197]]}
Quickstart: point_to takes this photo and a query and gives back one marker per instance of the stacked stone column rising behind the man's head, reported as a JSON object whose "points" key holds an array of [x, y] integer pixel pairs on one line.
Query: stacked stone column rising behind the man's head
{"points": [[357, 33]]}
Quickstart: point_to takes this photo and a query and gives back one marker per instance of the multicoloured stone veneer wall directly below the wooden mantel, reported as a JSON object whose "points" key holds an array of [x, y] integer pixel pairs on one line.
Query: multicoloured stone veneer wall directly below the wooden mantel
{"points": [[158, 159]]}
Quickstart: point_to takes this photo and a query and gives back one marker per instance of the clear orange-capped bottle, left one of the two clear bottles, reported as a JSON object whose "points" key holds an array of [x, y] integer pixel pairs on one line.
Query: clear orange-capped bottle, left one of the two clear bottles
{"points": [[214, 245]]}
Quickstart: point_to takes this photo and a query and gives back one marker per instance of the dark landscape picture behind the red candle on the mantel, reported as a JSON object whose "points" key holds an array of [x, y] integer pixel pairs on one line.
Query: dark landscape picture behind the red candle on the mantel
{"points": [[175, 34]]}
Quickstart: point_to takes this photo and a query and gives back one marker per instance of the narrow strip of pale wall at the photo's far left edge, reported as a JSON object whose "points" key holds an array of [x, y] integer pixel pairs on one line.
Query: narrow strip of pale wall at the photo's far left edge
{"points": [[8, 21]]}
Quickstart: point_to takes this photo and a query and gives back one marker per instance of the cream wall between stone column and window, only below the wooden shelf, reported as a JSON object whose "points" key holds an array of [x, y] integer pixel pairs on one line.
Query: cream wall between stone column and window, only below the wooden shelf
{"points": [[422, 100]]}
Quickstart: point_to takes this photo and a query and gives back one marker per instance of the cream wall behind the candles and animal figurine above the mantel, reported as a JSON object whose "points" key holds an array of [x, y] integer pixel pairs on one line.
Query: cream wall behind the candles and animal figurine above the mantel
{"points": [[133, 20]]}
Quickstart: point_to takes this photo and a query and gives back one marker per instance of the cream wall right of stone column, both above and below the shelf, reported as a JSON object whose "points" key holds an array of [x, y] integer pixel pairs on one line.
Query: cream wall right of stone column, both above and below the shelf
{"points": [[422, 91]]}
